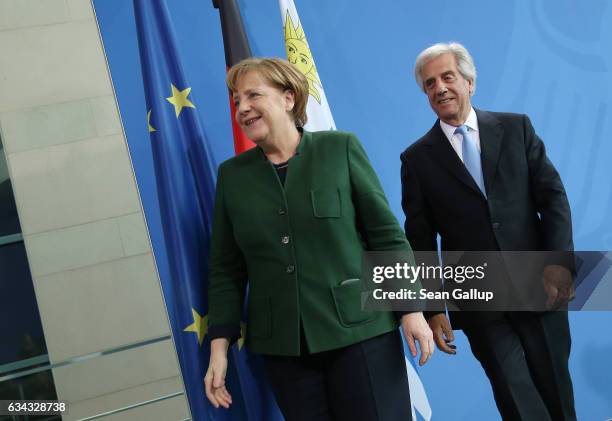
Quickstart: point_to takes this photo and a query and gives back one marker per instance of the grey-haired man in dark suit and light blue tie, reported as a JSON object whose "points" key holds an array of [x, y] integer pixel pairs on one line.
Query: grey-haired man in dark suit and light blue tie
{"points": [[482, 181]]}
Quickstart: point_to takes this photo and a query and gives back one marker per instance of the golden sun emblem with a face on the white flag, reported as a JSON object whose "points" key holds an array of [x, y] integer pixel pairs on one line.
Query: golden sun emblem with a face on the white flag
{"points": [[298, 53]]}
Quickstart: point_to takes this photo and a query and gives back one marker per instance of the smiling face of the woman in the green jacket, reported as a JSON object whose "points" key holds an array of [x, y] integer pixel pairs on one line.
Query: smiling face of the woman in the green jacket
{"points": [[261, 109]]}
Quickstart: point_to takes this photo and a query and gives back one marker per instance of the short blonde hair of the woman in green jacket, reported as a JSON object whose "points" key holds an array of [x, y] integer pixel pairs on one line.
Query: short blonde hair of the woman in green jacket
{"points": [[278, 73]]}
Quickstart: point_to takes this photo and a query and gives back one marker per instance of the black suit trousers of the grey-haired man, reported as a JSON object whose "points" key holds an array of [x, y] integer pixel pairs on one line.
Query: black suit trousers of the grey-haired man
{"points": [[525, 357]]}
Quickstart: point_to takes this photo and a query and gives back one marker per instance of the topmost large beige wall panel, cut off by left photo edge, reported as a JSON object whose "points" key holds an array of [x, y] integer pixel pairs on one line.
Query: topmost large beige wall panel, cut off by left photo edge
{"points": [[50, 64]]}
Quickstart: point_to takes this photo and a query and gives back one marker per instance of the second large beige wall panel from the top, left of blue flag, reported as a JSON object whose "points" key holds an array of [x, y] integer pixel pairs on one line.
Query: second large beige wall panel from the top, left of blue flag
{"points": [[72, 184]]}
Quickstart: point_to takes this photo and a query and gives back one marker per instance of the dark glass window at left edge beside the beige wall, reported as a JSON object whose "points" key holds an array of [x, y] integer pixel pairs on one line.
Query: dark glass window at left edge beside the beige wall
{"points": [[22, 344]]}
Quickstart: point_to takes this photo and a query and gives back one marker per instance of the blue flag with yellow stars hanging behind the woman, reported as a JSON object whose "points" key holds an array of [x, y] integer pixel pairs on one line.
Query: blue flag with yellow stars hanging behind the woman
{"points": [[185, 177]]}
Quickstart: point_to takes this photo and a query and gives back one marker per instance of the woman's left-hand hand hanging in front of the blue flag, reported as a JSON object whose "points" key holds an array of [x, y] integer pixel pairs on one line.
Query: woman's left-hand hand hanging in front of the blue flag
{"points": [[214, 381]]}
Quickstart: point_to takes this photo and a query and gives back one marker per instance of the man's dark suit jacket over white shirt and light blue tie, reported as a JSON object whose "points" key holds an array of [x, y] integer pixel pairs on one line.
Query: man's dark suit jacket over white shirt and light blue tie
{"points": [[526, 206]]}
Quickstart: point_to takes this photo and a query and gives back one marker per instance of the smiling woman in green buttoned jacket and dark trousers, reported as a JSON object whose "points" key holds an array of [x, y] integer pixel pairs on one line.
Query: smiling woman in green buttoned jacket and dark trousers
{"points": [[293, 217]]}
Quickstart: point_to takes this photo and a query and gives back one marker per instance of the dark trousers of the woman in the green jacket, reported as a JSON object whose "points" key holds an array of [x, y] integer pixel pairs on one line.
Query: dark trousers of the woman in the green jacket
{"points": [[365, 381]]}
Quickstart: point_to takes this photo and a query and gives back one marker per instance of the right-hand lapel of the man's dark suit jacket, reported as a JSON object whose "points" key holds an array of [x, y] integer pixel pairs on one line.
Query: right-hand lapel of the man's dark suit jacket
{"points": [[491, 135]]}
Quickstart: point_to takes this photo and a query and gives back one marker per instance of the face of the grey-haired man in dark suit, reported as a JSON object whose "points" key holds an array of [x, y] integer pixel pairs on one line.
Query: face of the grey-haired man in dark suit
{"points": [[448, 91]]}
